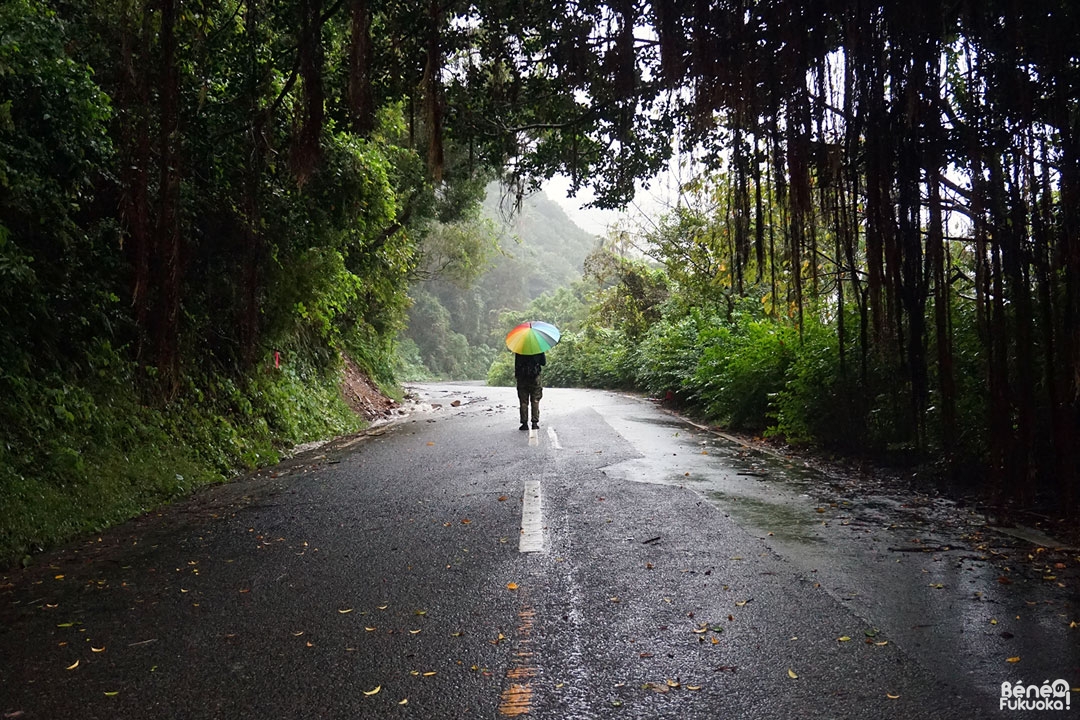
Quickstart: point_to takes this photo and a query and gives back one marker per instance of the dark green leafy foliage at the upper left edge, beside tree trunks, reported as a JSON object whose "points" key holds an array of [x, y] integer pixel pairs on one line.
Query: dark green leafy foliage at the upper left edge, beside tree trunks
{"points": [[56, 290]]}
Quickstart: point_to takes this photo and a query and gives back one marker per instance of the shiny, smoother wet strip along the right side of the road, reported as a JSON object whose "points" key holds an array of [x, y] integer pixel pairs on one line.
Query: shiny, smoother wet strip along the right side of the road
{"points": [[924, 573]]}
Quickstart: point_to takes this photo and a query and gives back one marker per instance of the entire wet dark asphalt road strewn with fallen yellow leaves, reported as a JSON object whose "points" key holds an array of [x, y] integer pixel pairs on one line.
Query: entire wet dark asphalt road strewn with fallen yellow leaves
{"points": [[679, 576]]}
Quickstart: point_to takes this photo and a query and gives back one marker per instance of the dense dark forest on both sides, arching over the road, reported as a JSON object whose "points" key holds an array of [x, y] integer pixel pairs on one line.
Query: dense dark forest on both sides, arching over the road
{"points": [[194, 191]]}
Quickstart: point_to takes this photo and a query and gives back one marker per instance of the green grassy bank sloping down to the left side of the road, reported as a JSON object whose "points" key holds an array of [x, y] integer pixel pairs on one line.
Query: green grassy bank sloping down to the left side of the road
{"points": [[65, 474]]}
